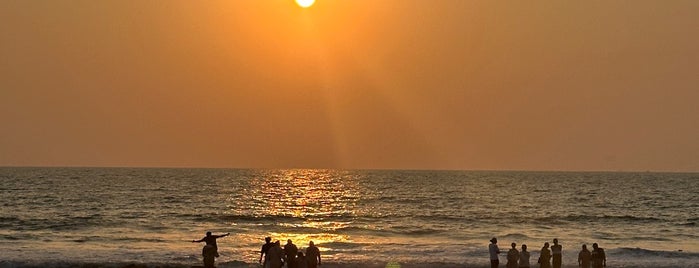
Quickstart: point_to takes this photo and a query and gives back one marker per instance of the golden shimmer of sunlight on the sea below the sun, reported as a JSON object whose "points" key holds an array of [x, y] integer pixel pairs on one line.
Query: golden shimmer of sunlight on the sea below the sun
{"points": [[302, 205]]}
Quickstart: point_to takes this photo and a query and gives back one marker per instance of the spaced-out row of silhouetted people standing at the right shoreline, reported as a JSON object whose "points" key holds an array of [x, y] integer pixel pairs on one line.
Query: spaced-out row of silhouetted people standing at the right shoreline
{"points": [[520, 259]]}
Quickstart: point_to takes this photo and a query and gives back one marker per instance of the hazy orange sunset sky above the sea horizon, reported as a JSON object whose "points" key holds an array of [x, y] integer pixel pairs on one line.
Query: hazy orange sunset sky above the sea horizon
{"points": [[362, 84]]}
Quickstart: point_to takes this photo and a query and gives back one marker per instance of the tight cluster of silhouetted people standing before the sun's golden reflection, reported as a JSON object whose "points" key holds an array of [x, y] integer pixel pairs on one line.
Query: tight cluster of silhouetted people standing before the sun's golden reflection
{"points": [[275, 256]]}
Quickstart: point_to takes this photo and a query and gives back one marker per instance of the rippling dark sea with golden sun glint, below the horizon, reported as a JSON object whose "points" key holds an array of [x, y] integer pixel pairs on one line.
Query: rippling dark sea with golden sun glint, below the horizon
{"points": [[123, 217]]}
